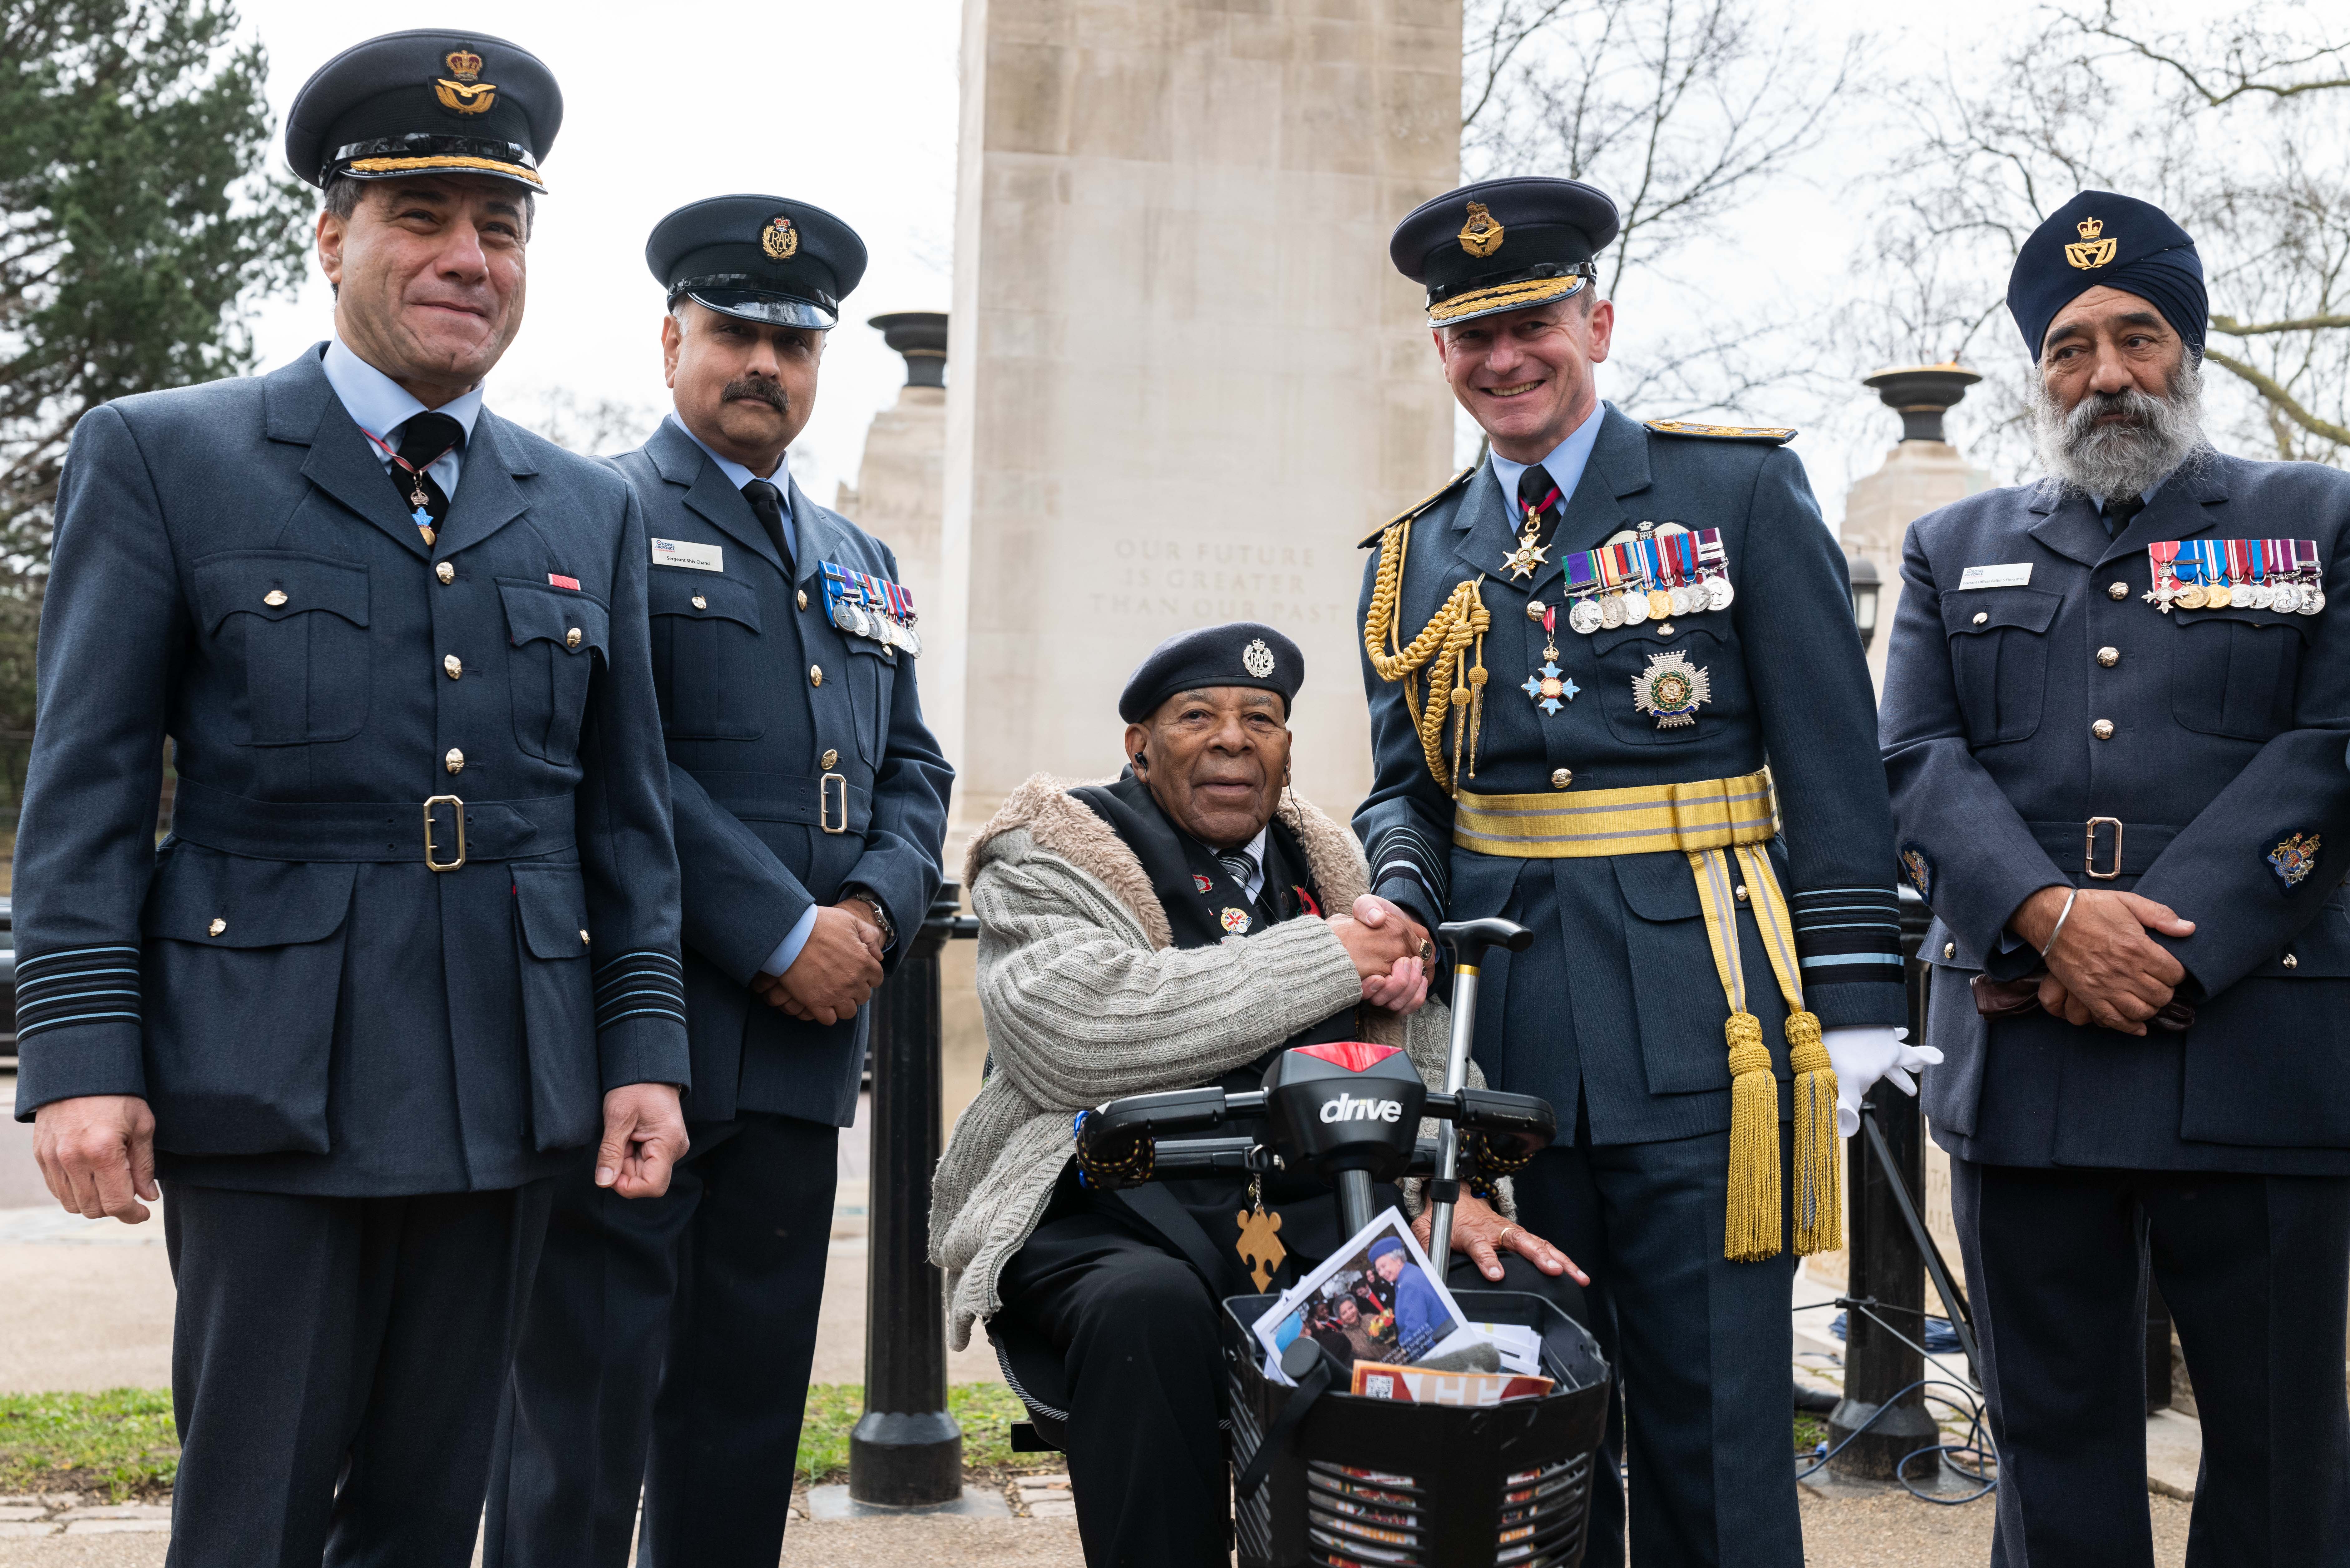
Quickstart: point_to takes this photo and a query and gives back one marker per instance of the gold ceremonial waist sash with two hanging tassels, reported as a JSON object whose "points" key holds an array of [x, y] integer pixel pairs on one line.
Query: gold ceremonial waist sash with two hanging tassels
{"points": [[1717, 824]]}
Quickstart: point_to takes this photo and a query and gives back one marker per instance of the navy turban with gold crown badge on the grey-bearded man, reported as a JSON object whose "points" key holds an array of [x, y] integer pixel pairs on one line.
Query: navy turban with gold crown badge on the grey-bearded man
{"points": [[2119, 243]]}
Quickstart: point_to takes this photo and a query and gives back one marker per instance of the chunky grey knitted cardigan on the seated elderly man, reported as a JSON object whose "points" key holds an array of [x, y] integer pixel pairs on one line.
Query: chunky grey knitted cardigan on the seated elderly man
{"points": [[1089, 1000]]}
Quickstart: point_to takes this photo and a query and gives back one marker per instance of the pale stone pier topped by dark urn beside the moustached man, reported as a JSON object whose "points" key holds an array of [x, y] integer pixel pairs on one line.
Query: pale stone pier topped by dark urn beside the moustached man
{"points": [[901, 481]]}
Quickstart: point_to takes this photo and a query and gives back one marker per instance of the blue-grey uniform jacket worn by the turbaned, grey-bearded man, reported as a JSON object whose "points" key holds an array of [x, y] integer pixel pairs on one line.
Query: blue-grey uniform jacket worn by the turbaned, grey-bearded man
{"points": [[2227, 751]]}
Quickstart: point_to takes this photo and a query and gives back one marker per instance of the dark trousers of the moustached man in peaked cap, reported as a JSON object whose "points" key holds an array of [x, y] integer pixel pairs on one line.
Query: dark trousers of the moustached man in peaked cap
{"points": [[669, 1355]]}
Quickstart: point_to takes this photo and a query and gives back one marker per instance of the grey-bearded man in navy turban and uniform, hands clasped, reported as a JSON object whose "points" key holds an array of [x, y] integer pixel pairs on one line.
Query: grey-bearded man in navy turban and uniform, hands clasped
{"points": [[2114, 723]]}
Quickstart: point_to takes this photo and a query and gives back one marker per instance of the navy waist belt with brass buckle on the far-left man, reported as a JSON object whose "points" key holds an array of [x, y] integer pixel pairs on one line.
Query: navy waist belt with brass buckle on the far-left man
{"points": [[445, 831]]}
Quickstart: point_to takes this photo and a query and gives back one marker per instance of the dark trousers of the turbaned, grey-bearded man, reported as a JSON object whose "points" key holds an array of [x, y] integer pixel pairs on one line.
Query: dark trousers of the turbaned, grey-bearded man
{"points": [[2257, 1275]]}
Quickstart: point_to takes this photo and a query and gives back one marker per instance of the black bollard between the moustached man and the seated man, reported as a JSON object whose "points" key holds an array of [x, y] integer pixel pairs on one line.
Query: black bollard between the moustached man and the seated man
{"points": [[906, 1449]]}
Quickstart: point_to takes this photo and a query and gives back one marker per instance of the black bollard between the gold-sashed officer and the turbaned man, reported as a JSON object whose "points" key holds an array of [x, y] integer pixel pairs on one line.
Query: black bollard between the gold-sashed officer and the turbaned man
{"points": [[1886, 1268]]}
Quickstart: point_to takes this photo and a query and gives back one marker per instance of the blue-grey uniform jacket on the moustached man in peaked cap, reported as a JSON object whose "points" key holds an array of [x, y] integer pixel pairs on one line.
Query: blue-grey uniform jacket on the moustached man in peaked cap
{"points": [[753, 737]]}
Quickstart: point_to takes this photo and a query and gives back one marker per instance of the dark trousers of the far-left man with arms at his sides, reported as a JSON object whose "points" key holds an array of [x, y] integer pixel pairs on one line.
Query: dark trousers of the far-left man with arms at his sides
{"points": [[337, 1369]]}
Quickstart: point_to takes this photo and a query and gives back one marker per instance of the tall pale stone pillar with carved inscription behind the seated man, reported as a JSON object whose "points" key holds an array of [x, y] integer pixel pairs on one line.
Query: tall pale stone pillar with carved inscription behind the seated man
{"points": [[1186, 377]]}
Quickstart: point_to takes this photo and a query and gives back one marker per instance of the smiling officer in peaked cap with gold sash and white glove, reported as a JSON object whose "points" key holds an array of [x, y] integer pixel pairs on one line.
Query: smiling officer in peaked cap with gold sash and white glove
{"points": [[1580, 657]]}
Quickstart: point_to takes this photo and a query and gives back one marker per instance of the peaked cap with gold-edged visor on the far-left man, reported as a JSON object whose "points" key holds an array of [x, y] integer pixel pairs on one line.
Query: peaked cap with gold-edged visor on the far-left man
{"points": [[427, 102]]}
